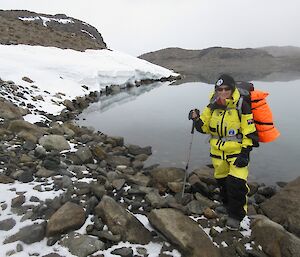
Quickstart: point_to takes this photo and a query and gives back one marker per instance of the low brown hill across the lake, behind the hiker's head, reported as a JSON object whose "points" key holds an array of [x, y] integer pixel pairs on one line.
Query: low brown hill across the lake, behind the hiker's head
{"points": [[244, 64]]}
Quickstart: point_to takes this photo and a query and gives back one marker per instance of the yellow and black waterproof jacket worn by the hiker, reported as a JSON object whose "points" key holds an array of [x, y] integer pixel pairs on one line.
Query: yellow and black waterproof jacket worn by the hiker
{"points": [[230, 130]]}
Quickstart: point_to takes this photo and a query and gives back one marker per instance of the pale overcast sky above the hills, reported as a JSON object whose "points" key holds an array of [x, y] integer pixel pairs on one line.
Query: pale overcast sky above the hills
{"points": [[140, 26]]}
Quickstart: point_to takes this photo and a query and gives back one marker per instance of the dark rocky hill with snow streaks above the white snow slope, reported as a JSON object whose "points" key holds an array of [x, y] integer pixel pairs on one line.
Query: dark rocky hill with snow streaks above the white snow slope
{"points": [[30, 28]]}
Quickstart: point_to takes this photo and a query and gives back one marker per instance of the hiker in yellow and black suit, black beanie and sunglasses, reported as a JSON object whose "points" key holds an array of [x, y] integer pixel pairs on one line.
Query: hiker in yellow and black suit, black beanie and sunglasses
{"points": [[233, 135]]}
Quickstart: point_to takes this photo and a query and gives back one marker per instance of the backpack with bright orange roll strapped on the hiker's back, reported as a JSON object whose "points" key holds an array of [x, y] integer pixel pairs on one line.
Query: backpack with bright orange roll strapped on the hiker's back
{"points": [[262, 114]]}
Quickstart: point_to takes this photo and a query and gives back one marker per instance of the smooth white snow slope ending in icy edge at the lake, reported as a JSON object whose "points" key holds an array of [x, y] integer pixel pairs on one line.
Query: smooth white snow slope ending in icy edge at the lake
{"points": [[65, 71]]}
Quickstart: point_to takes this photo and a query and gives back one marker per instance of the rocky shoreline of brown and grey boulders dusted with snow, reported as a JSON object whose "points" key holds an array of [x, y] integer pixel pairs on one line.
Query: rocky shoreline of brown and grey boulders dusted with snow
{"points": [[101, 186]]}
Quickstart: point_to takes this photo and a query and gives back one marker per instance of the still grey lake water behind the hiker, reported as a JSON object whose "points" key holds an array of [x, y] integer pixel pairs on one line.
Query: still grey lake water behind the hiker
{"points": [[156, 115]]}
